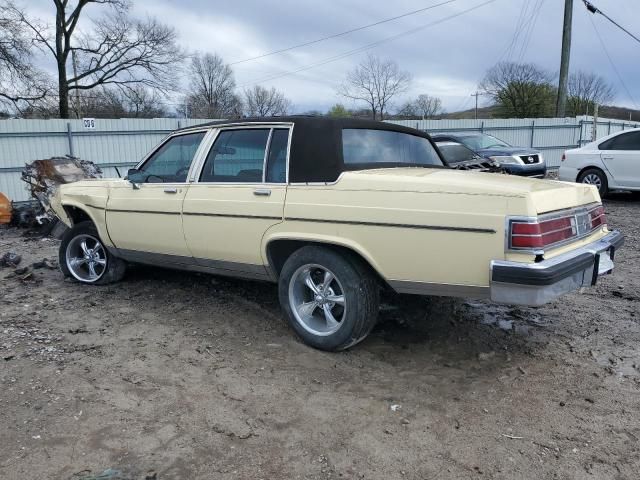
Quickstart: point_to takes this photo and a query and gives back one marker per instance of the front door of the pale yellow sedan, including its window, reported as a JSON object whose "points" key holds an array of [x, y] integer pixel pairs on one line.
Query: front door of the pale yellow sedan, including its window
{"points": [[144, 218]]}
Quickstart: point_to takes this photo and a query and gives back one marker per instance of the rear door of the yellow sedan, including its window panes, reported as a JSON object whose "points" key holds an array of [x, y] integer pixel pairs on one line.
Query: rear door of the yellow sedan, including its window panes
{"points": [[238, 195]]}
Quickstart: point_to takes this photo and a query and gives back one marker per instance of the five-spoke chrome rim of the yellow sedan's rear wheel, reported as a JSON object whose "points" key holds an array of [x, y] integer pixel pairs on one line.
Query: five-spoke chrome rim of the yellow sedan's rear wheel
{"points": [[317, 299]]}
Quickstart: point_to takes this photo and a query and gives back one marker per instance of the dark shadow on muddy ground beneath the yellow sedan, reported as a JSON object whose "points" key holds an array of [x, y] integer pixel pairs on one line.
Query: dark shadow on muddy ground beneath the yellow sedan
{"points": [[465, 328]]}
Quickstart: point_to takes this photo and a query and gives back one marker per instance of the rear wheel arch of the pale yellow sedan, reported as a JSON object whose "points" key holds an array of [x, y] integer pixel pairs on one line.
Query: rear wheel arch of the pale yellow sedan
{"points": [[278, 249]]}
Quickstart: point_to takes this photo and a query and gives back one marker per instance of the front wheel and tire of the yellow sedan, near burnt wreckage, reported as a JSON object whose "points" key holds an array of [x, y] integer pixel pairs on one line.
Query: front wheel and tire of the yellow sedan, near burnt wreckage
{"points": [[83, 257]]}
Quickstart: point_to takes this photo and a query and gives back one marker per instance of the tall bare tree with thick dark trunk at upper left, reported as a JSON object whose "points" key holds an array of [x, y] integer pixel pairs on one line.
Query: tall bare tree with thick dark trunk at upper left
{"points": [[119, 50]]}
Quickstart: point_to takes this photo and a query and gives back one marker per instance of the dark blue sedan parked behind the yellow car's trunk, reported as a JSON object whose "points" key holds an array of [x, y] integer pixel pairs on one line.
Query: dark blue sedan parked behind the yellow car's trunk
{"points": [[522, 161]]}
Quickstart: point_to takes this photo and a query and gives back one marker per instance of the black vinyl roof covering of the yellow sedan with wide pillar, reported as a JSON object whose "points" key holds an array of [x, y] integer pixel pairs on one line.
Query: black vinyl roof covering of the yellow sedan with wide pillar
{"points": [[316, 145]]}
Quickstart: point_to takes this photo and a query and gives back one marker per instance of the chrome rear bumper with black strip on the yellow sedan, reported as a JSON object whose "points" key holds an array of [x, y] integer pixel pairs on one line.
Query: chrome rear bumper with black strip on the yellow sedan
{"points": [[535, 284]]}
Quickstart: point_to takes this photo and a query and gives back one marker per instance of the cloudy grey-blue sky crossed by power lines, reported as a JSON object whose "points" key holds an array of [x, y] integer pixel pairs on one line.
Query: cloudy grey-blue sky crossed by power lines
{"points": [[447, 59]]}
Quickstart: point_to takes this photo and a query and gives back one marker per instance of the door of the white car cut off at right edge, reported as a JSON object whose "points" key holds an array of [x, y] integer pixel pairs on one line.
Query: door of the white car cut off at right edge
{"points": [[621, 156]]}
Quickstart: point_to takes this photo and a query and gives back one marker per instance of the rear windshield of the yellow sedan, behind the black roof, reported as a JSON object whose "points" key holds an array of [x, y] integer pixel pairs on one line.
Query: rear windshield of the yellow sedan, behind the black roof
{"points": [[367, 147]]}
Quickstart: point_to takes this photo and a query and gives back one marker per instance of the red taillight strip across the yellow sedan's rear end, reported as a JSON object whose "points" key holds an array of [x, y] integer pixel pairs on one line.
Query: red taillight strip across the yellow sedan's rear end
{"points": [[542, 233]]}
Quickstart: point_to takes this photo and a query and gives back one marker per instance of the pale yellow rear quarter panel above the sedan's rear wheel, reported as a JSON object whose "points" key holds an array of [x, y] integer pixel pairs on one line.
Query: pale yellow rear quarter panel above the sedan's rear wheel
{"points": [[442, 238]]}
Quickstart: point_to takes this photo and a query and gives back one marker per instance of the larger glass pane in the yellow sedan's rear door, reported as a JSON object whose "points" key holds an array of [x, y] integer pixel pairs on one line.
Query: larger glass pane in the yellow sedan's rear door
{"points": [[236, 156]]}
